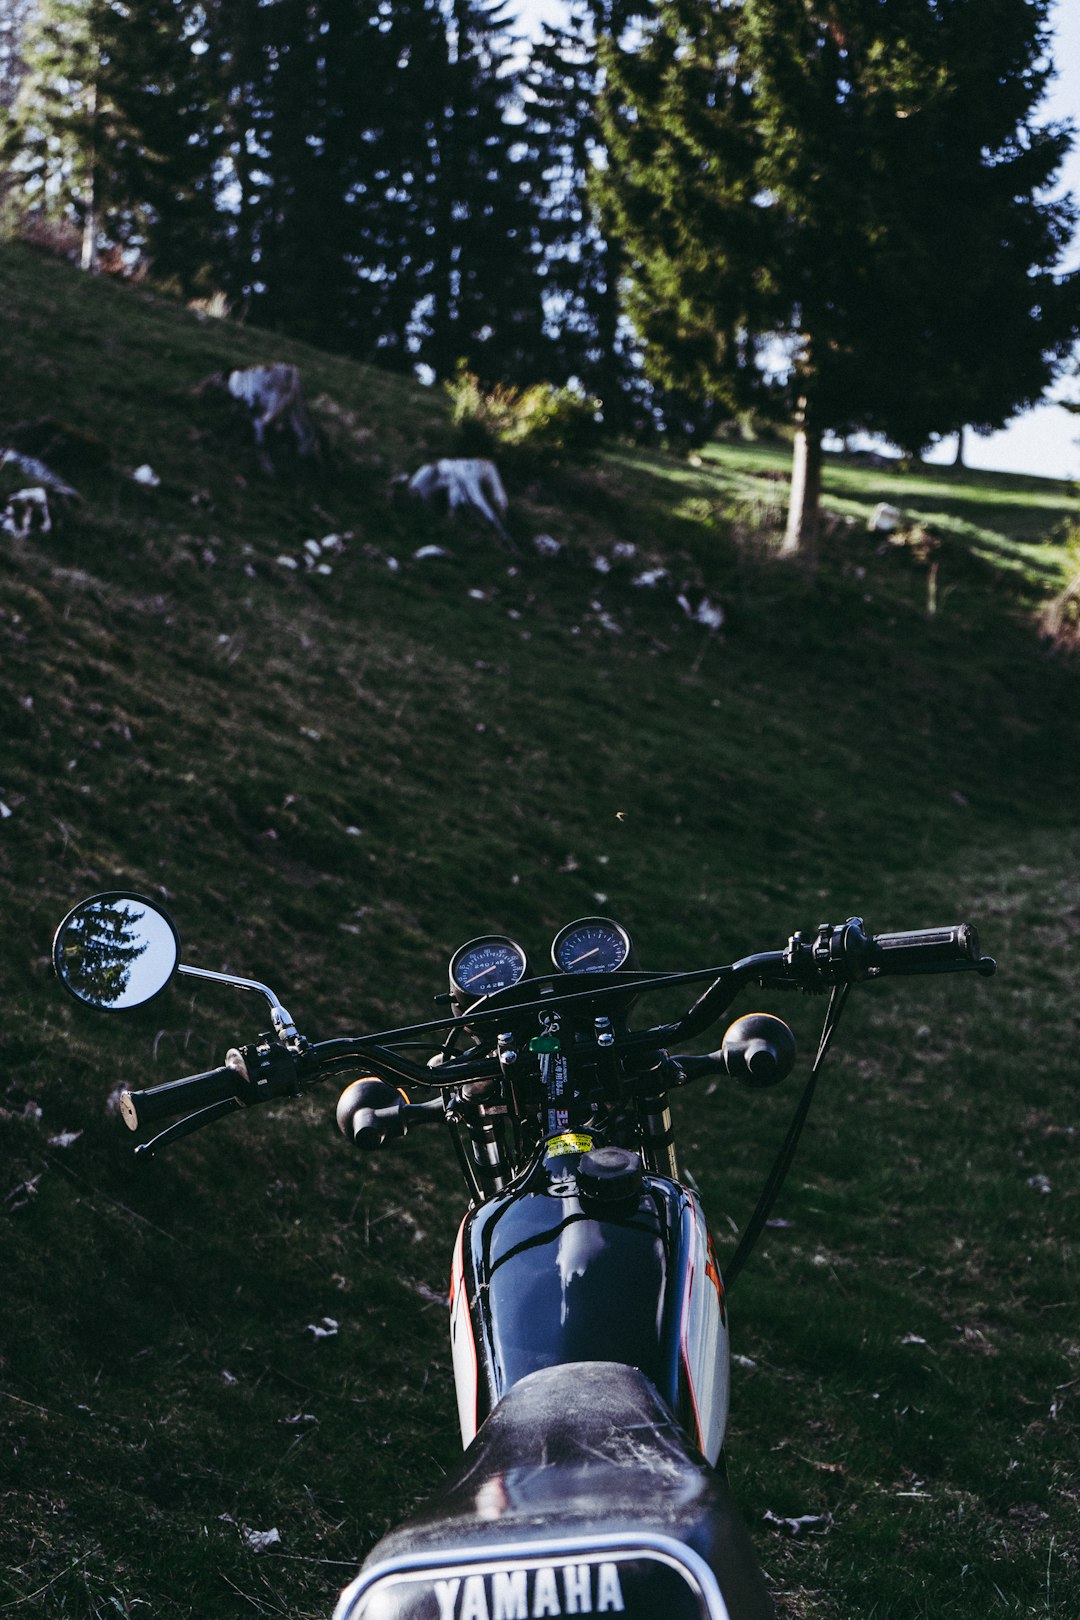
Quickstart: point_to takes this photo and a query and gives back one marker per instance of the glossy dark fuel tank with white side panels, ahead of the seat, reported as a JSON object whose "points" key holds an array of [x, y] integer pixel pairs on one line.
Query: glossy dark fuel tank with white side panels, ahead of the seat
{"points": [[545, 1276]]}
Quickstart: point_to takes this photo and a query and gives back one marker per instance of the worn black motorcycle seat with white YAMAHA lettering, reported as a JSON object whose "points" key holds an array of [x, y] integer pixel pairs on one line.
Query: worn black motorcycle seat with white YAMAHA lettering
{"points": [[579, 1470]]}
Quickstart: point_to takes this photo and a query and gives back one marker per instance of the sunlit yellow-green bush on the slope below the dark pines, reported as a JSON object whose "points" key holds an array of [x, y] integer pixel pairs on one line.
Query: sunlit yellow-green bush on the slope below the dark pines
{"points": [[542, 424]]}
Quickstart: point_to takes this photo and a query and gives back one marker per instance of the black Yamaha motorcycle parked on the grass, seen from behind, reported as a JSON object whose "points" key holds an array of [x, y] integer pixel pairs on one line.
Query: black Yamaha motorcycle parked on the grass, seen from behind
{"points": [[589, 1316]]}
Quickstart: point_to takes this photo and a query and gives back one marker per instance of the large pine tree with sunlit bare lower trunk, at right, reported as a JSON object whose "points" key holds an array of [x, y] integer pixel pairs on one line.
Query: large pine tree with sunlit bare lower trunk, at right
{"points": [[859, 184]]}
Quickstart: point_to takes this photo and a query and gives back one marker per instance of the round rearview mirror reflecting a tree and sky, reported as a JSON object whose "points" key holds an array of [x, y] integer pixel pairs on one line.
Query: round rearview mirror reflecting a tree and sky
{"points": [[116, 952]]}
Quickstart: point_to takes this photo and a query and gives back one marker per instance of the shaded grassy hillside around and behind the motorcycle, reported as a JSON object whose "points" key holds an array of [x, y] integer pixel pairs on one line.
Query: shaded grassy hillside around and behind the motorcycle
{"points": [[334, 780]]}
